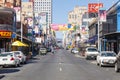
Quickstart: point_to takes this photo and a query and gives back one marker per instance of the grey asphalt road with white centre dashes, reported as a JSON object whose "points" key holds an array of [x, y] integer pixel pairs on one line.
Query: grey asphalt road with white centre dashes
{"points": [[60, 66]]}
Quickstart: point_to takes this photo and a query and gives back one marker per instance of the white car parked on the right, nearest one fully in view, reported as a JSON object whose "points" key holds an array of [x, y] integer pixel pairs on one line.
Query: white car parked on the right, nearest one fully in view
{"points": [[106, 58]]}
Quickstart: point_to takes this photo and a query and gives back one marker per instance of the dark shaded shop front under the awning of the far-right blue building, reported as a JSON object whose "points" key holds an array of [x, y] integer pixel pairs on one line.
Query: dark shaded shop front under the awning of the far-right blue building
{"points": [[112, 42]]}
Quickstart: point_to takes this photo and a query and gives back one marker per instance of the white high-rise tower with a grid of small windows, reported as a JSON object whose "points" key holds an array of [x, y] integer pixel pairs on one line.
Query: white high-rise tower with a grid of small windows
{"points": [[44, 6]]}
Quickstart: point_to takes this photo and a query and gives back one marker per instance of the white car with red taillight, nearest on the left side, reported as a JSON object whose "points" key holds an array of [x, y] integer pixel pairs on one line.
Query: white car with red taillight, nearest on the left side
{"points": [[9, 59]]}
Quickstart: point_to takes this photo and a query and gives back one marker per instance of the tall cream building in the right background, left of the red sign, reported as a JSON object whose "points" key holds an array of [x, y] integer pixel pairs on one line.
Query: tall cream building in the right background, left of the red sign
{"points": [[75, 18]]}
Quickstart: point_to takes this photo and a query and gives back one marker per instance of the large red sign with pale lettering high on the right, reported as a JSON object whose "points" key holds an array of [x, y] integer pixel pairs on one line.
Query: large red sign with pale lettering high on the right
{"points": [[94, 7]]}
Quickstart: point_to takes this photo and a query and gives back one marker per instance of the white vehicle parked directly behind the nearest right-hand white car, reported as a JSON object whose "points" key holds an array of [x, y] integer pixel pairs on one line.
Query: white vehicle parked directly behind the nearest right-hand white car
{"points": [[91, 52]]}
